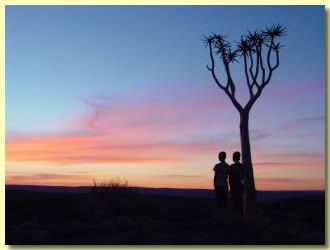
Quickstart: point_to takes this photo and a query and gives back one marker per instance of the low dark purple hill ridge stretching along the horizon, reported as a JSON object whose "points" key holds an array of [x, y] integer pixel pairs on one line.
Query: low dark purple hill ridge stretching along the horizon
{"points": [[203, 193]]}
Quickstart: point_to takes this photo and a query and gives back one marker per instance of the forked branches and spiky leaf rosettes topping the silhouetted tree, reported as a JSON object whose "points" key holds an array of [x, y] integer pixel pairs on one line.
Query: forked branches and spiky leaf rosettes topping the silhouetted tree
{"points": [[250, 49]]}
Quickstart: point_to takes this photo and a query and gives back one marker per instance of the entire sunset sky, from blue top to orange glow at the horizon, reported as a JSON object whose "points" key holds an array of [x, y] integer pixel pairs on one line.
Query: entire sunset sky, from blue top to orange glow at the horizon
{"points": [[107, 92]]}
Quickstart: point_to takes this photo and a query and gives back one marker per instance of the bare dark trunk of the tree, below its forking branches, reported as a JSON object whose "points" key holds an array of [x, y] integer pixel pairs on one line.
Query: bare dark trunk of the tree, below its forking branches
{"points": [[249, 201]]}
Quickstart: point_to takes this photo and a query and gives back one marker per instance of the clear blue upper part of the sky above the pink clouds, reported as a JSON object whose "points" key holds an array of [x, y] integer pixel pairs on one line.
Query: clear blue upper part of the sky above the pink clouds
{"points": [[58, 54]]}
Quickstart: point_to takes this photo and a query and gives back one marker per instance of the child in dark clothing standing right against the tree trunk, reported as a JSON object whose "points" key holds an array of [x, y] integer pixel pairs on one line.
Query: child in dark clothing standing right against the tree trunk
{"points": [[236, 178]]}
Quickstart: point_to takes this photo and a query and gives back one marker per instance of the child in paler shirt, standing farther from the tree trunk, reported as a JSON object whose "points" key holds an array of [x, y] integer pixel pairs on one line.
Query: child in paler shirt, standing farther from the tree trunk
{"points": [[221, 180]]}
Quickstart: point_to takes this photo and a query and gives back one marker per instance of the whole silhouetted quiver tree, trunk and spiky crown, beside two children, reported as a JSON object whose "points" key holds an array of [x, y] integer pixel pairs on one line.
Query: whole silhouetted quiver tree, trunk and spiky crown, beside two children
{"points": [[258, 50]]}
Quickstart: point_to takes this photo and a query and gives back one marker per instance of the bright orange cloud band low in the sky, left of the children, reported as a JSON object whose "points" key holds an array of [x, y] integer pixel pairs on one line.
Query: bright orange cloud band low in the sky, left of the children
{"points": [[85, 149]]}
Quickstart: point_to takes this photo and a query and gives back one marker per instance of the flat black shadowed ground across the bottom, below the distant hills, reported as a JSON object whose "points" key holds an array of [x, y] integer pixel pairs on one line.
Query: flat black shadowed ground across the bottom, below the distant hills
{"points": [[128, 217]]}
